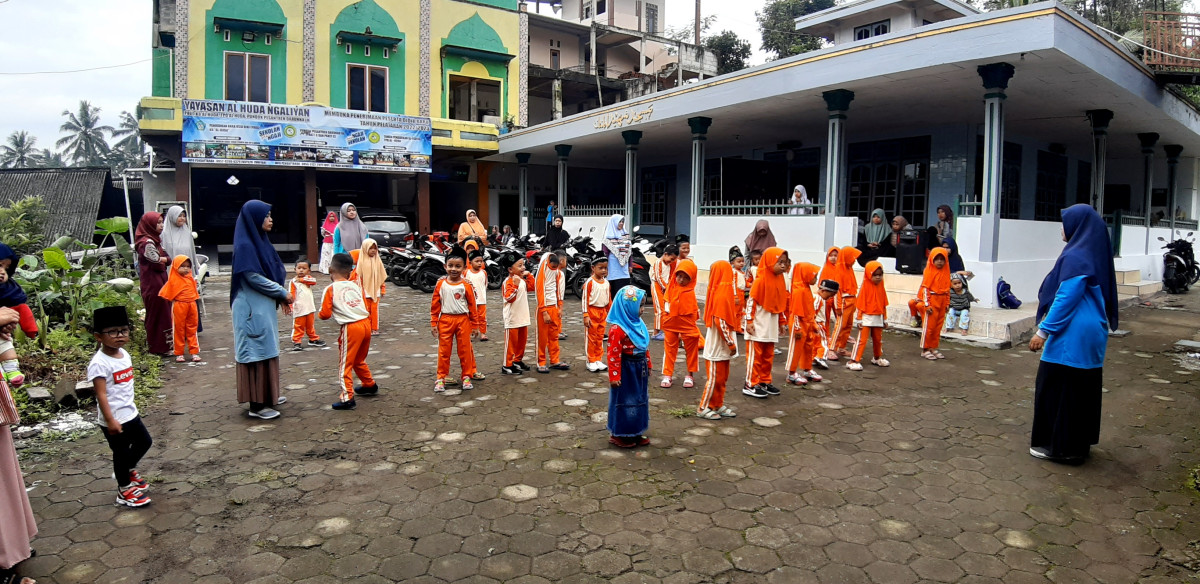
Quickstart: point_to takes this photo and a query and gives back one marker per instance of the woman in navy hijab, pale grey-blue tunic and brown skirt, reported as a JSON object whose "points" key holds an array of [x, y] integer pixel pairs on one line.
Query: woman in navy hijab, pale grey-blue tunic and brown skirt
{"points": [[256, 293]]}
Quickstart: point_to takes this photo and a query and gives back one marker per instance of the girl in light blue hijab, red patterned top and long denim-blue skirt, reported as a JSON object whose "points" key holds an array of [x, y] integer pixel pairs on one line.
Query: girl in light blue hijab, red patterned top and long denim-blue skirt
{"points": [[629, 370]]}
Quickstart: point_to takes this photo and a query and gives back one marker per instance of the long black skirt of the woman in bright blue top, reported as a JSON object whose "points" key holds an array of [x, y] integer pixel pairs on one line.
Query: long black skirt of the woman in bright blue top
{"points": [[1067, 410]]}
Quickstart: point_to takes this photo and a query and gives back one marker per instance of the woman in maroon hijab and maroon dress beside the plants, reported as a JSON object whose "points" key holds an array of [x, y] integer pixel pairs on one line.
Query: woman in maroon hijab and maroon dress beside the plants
{"points": [[153, 262]]}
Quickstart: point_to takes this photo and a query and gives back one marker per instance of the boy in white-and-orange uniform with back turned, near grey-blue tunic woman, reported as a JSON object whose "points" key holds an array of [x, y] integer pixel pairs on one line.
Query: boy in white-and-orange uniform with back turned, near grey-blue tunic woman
{"points": [[345, 304]]}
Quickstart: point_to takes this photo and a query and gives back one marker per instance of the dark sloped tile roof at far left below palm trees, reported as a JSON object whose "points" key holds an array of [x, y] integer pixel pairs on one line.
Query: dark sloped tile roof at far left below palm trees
{"points": [[71, 195]]}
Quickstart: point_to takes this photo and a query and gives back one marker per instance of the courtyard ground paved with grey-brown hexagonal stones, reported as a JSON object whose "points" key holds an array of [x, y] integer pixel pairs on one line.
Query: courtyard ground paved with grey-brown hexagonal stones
{"points": [[917, 473]]}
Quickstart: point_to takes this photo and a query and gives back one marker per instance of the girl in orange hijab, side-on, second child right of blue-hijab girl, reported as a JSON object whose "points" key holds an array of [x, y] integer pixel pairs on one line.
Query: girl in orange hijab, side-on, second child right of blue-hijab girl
{"points": [[722, 316]]}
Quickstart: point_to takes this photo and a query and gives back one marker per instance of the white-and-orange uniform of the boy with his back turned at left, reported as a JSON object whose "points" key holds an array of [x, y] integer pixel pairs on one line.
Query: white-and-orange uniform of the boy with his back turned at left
{"points": [[344, 303]]}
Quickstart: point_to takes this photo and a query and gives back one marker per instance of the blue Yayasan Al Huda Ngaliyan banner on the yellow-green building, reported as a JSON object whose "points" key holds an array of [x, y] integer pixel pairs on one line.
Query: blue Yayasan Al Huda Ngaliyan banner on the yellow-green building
{"points": [[267, 135]]}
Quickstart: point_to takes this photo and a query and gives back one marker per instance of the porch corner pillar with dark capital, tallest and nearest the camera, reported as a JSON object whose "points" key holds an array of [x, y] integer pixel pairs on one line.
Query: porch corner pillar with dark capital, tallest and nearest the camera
{"points": [[995, 81]]}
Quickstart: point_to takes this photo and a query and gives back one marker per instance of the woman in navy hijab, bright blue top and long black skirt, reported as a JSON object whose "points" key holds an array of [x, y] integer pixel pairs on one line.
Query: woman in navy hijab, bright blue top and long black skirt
{"points": [[1077, 308]]}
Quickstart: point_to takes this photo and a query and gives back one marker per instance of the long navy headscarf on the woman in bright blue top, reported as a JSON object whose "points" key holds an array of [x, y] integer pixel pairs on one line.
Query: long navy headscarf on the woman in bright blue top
{"points": [[1088, 254]]}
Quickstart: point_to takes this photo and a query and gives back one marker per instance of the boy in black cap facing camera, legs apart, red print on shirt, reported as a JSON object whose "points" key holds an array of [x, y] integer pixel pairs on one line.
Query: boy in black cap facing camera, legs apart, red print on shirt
{"points": [[453, 317]]}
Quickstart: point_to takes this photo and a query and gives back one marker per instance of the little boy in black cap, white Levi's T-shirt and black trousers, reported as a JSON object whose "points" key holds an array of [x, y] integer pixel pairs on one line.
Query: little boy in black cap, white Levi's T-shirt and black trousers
{"points": [[111, 372]]}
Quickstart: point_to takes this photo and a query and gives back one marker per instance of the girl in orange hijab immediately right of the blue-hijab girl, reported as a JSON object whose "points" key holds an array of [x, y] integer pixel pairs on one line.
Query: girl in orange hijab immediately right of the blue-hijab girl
{"points": [[681, 315]]}
